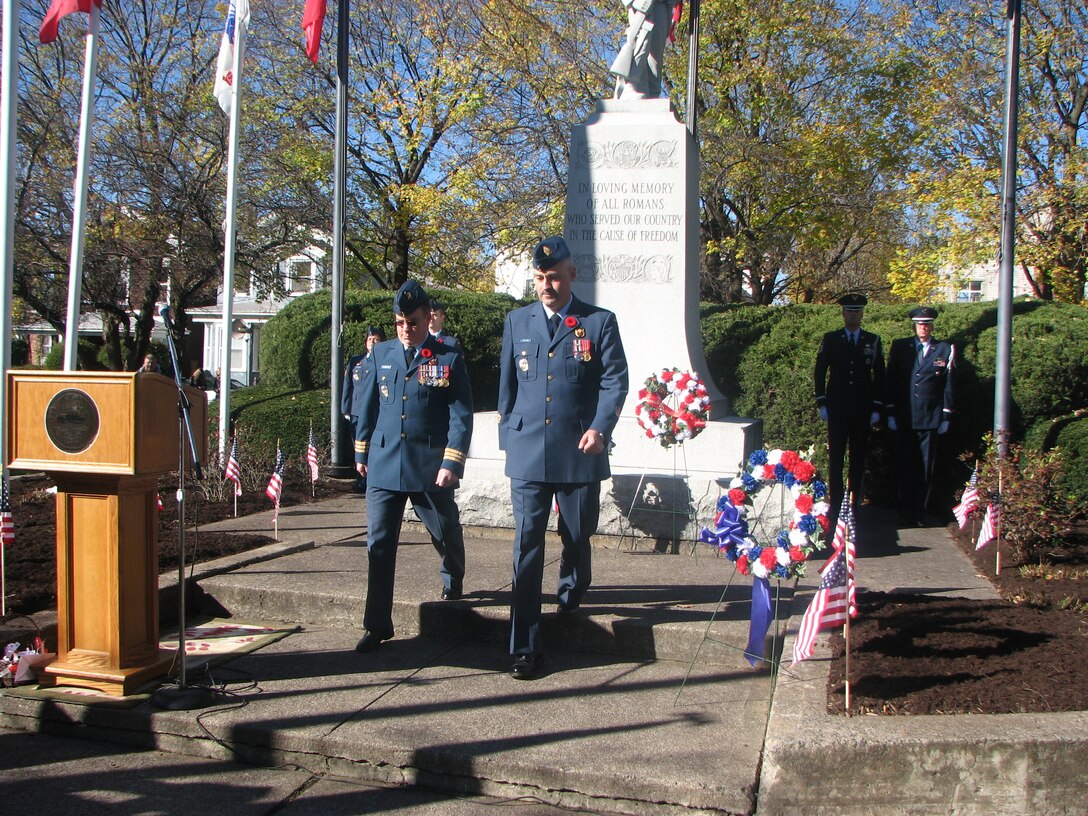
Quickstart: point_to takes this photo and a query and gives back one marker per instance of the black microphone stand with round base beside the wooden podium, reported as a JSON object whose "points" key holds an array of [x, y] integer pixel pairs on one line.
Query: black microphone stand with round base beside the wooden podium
{"points": [[182, 697]]}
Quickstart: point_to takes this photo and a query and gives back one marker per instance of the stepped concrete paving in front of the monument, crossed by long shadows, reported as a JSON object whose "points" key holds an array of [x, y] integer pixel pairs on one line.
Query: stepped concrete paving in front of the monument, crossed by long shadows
{"points": [[646, 707]]}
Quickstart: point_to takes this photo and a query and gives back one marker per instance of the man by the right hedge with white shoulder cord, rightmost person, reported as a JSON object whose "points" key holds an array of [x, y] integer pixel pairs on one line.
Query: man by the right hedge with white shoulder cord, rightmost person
{"points": [[920, 410]]}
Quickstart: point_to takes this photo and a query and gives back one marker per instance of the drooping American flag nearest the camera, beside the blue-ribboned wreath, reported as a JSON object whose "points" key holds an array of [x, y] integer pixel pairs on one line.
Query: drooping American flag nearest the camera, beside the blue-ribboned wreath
{"points": [[837, 596]]}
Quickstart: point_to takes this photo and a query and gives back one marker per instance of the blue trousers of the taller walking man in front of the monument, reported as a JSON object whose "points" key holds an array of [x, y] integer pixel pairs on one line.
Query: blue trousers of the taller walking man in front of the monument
{"points": [[579, 511]]}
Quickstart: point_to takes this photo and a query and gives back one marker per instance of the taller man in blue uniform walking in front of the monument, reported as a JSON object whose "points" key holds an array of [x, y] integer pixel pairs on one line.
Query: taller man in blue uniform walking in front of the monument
{"points": [[563, 381]]}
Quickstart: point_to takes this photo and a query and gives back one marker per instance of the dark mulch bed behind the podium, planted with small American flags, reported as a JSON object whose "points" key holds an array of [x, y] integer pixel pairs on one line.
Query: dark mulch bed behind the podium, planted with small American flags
{"points": [[31, 563]]}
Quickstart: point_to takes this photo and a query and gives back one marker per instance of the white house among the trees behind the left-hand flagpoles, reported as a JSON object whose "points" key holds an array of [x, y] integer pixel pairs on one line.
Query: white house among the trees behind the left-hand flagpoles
{"points": [[300, 275]]}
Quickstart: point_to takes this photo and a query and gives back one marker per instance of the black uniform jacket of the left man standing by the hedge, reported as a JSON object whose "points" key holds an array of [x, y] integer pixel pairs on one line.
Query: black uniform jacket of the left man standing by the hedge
{"points": [[850, 380]]}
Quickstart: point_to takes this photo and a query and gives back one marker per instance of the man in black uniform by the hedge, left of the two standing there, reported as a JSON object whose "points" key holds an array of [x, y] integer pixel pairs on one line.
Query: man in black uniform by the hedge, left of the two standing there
{"points": [[850, 386]]}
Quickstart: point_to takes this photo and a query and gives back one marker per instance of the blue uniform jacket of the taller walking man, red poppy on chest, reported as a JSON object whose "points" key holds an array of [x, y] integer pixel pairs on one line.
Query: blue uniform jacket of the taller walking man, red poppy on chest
{"points": [[550, 395]]}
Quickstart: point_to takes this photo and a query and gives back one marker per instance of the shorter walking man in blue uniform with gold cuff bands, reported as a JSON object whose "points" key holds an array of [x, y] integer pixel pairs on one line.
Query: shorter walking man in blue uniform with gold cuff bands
{"points": [[412, 436]]}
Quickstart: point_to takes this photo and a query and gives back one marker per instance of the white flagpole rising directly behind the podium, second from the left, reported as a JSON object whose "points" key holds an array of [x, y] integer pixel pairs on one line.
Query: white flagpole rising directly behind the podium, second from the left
{"points": [[80, 204]]}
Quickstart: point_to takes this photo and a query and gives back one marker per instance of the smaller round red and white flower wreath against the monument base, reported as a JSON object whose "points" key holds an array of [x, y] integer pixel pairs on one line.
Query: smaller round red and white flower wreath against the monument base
{"points": [[673, 407]]}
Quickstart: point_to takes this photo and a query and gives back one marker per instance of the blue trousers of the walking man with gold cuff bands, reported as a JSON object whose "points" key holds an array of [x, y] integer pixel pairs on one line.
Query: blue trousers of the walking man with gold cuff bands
{"points": [[438, 511]]}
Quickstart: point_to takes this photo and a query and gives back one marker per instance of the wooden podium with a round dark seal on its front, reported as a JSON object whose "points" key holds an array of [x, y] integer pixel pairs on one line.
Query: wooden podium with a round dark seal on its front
{"points": [[105, 438]]}
